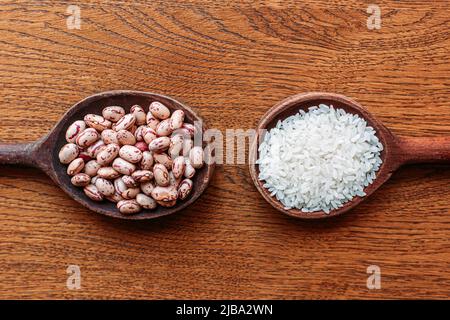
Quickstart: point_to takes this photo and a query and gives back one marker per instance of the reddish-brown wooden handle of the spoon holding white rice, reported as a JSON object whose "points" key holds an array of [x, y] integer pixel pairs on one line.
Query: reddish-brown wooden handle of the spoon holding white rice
{"points": [[425, 149]]}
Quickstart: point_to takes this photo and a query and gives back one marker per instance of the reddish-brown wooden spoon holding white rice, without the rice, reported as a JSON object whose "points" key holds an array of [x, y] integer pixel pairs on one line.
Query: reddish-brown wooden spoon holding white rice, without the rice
{"points": [[397, 150]]}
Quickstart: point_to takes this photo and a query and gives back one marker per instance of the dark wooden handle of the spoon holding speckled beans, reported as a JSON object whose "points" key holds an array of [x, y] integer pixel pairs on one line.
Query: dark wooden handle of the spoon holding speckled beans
{"points": [[18, 154]]}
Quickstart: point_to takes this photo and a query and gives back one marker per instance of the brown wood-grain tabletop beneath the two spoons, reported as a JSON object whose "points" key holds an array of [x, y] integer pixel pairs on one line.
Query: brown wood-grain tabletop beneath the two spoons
{"points": [[230, 61]]}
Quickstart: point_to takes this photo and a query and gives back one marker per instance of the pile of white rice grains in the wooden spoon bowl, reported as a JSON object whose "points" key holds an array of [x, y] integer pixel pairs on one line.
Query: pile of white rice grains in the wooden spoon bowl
{"points": [[320, 159]]}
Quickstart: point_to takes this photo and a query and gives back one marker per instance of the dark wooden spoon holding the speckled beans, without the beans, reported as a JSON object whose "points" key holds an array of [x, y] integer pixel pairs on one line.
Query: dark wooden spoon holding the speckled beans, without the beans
{"points": [[43, 154]]}
